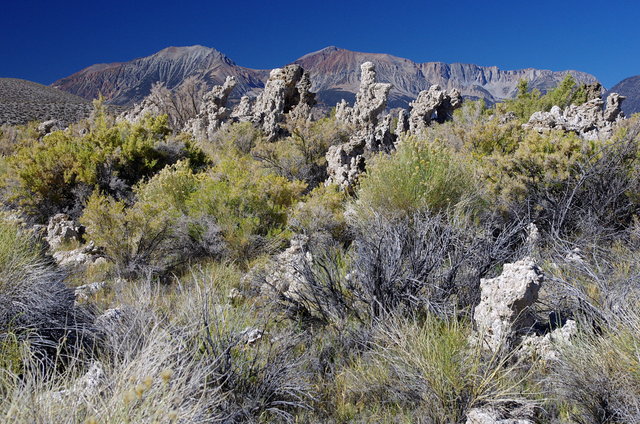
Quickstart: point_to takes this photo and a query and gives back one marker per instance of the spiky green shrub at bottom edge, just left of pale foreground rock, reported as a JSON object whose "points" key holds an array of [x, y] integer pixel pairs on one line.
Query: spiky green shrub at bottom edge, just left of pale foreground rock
{"points": [[427, 370]]}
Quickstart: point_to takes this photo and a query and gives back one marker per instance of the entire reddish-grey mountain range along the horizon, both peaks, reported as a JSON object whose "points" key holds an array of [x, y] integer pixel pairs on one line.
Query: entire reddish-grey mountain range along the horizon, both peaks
{"points": [[334, 74]]}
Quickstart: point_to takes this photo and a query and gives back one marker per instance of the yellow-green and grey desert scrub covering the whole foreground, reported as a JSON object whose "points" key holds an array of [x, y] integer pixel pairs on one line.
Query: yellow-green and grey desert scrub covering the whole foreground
{"points": [[198, 322]]}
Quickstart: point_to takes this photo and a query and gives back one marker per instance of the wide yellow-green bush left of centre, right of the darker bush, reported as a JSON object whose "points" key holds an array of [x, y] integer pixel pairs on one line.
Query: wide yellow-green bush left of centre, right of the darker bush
{"points": [[179, 215]]}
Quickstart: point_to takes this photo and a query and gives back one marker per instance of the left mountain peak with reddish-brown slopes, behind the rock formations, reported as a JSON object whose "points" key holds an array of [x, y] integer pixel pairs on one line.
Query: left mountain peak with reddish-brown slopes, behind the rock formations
{"points": [[129, 82]]}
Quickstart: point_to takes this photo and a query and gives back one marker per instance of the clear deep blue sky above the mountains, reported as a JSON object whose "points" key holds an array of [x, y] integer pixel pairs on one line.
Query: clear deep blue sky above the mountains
{"points": [[46, 40]]}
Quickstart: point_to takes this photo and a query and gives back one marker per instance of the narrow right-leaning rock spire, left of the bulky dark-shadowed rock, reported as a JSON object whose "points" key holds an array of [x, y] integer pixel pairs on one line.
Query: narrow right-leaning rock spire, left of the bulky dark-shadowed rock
{"points": [[213, 111]]}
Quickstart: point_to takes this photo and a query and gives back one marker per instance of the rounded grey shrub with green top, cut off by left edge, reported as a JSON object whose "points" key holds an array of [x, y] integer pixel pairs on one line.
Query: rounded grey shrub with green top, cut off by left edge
{"points": [[38, 313]]}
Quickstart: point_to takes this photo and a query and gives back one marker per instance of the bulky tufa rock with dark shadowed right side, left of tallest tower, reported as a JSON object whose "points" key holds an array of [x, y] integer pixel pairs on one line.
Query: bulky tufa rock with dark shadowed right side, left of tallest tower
{"points": [[286, 92]]}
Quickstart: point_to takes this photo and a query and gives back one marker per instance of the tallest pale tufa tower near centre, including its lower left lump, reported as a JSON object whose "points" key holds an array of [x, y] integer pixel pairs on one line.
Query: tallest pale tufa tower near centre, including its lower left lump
{"points": [[345, 162]]}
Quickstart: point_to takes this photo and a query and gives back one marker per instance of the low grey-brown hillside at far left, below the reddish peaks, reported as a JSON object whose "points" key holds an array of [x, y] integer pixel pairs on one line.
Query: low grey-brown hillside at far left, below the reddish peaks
{"points": [[22, 101]]}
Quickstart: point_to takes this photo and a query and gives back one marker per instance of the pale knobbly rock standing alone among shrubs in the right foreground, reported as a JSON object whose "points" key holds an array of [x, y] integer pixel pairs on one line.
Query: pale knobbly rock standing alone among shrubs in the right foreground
{"points": [[504, 308]]}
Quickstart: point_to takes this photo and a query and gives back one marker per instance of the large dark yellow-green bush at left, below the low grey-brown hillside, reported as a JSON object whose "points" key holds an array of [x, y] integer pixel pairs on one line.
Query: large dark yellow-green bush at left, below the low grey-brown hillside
{"points": [[47, 173]]}
